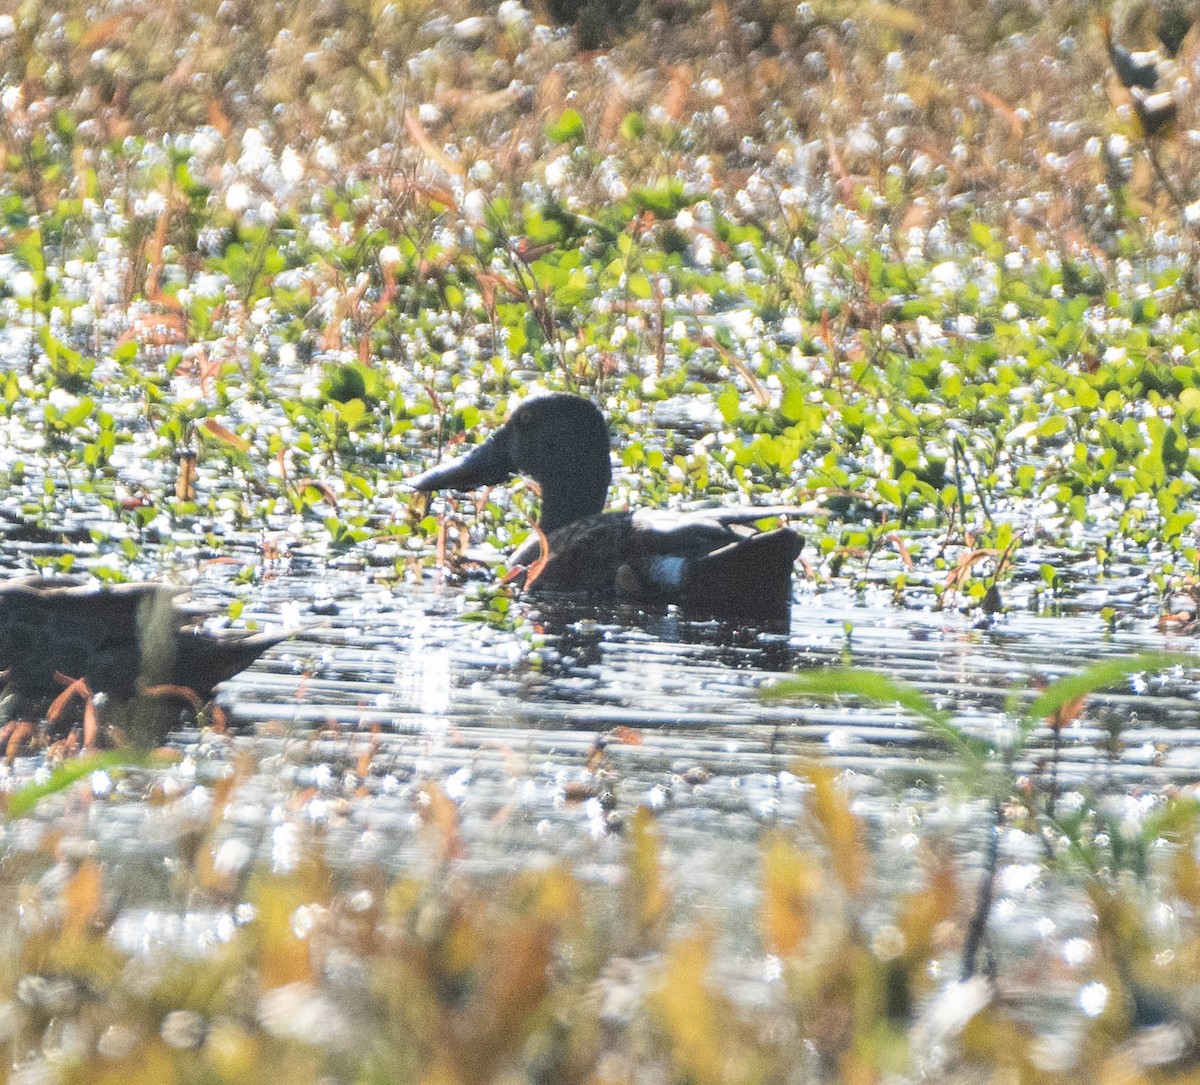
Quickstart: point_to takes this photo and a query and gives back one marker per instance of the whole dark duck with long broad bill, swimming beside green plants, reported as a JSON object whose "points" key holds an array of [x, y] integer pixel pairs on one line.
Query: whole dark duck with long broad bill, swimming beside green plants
{"points": [[711, 562]]}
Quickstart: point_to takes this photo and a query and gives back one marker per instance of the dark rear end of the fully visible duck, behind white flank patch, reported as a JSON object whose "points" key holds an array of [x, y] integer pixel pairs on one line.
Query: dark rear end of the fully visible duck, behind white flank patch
{"points": [[748, 579]]}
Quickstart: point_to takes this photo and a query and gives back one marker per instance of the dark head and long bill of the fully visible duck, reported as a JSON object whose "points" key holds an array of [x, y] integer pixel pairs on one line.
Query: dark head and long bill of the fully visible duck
{"points": [[561, 442]]}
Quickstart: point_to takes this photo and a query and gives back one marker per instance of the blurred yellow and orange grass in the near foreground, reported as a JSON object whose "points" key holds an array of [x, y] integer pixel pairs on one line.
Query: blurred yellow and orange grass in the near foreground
{"points": [[451, 979]]}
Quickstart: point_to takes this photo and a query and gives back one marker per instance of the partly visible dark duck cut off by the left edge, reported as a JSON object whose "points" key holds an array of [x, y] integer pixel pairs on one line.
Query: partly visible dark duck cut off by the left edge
{"points": [[118, 639]]}
